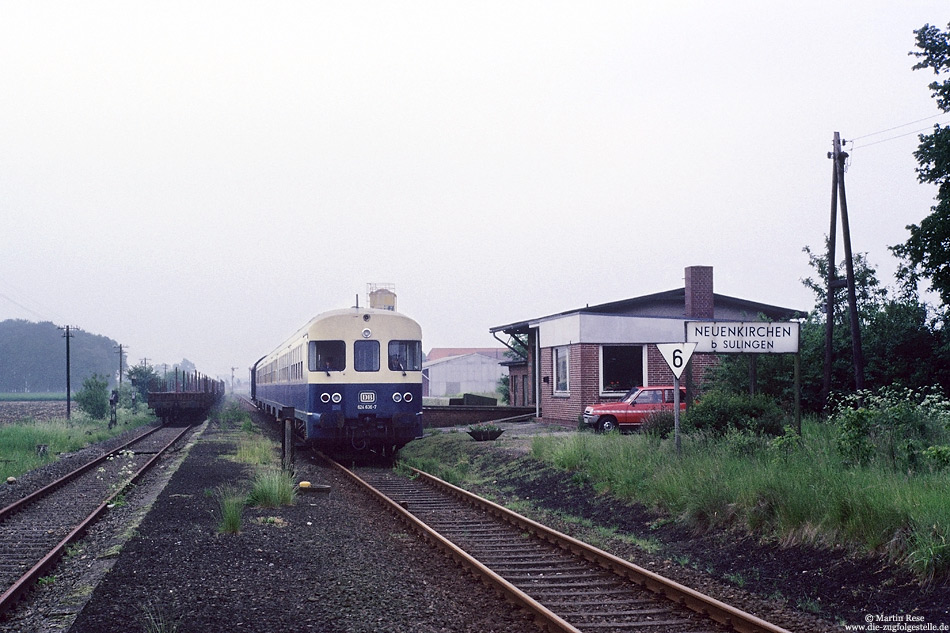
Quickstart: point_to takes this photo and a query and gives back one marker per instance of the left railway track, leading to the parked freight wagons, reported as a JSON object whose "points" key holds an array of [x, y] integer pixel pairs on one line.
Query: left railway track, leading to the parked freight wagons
{"points": [[36, 530]]}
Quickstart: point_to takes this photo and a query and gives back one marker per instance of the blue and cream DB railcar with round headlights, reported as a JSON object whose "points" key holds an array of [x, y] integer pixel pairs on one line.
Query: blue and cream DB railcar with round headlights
{"points": [[353, 377]]}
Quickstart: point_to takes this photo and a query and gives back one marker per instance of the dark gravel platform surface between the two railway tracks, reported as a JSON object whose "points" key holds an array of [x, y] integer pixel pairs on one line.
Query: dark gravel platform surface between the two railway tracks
{"points": [[331, 562]]}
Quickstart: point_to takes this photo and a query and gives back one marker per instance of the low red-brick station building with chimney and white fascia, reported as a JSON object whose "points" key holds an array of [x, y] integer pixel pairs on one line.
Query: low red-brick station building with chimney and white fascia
{"points": [[598, 353]]}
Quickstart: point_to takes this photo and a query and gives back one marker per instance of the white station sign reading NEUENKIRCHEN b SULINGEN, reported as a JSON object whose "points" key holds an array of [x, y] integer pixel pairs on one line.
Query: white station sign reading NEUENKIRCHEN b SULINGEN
{"points": [[743, 337]]}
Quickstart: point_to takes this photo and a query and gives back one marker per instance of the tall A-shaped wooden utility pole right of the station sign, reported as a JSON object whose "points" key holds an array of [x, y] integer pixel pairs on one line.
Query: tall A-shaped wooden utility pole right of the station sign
{"points": [[838, 198]]}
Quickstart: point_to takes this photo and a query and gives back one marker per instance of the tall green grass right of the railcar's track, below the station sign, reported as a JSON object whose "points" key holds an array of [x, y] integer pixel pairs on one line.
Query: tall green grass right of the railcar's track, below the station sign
{"points": [[796, 492]]}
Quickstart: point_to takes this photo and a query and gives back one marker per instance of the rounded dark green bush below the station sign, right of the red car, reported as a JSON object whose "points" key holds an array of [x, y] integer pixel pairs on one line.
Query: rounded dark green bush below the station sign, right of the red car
{"points": [[719, 412]]}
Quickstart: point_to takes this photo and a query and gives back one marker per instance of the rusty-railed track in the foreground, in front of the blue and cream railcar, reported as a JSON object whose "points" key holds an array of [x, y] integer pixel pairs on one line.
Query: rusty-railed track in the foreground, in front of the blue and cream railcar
{"points": [[568, 585]]}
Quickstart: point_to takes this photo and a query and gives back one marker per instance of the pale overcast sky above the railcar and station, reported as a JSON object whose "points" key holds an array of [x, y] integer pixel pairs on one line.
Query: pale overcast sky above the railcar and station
{"points": [[197, 179]]}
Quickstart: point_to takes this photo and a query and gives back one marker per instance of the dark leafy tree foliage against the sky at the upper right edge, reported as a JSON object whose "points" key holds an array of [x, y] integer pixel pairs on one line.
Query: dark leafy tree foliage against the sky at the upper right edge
{"points": [[925, 253]]}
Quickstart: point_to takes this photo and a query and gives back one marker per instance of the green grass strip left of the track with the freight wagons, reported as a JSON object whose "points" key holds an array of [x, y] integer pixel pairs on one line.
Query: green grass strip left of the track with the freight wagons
{"points": [[19, 440]]}
